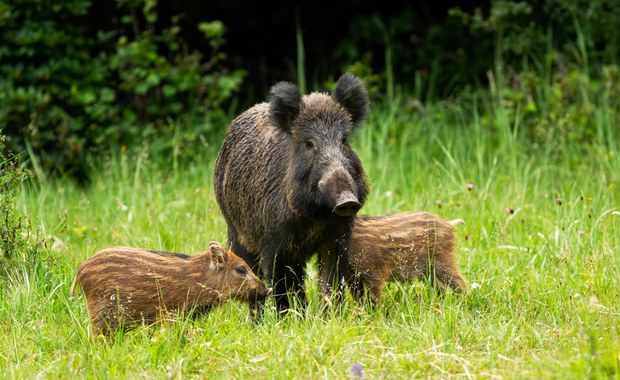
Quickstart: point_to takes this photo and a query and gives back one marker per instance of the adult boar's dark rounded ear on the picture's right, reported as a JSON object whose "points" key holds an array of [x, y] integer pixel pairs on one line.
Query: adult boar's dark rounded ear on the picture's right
{"points": [[352, 95]]}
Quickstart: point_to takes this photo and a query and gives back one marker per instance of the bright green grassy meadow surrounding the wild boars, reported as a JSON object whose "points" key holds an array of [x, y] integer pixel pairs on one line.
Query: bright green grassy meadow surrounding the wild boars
{"points": [[539, 248]]}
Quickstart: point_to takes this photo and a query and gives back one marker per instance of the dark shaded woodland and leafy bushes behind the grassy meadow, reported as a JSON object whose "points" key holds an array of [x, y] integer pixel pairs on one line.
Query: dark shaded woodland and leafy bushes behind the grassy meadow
{"points": [[82, 78]]}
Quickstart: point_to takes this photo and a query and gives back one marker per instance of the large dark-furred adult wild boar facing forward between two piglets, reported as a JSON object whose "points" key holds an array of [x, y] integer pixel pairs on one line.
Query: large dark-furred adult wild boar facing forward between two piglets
{"points": [[288, 184]]}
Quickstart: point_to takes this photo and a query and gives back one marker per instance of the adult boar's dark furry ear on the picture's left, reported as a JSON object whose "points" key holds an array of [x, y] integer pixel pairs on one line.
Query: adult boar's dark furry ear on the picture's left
{"points": [[284, 104]]}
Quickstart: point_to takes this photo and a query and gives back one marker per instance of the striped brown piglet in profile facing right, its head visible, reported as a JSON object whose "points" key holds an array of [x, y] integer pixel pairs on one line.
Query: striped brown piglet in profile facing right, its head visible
{"points": [[126, 286]]}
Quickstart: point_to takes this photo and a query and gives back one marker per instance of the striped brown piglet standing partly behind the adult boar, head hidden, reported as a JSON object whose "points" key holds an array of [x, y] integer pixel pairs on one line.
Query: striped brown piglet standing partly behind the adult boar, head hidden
{"points": [[402, 247]]}
